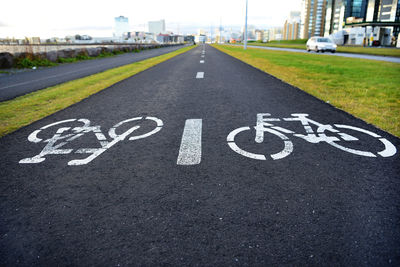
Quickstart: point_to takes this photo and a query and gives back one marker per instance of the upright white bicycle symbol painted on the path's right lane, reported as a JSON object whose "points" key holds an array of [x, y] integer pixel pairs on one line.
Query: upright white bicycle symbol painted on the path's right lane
{"points": [[264, 125]]}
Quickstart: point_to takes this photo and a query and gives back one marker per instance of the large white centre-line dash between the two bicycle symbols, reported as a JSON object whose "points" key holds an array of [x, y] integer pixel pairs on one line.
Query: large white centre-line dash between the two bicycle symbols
{"points": [[190, 150]]}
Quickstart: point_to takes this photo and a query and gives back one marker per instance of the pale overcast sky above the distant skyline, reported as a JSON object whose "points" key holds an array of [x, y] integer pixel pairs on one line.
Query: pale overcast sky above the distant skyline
{"points": [[58, 18]]}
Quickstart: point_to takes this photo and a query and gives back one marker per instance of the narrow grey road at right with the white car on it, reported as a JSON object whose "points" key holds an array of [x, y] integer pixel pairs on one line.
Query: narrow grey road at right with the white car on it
{"points": [[350, 55]]}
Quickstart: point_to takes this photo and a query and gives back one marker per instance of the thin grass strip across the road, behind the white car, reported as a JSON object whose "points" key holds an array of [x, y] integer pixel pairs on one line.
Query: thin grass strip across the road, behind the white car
{"points": [[392, 52]]}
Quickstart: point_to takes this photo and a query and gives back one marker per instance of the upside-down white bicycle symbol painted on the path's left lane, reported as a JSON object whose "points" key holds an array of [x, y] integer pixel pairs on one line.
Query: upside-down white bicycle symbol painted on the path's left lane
{"points": [[68, 134]]}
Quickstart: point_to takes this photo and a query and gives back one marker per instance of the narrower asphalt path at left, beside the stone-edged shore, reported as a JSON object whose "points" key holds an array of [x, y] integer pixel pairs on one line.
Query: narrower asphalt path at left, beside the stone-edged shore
{"points": [[22, 83]]}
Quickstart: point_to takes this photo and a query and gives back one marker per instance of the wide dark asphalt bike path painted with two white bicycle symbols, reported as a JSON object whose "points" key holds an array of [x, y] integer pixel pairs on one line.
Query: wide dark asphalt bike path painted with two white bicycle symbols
{"points": [[190, 186]]}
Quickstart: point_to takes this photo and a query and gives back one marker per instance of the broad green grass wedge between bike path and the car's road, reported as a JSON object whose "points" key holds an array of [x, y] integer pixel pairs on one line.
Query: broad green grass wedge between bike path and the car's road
{"points": [[365, 88]]}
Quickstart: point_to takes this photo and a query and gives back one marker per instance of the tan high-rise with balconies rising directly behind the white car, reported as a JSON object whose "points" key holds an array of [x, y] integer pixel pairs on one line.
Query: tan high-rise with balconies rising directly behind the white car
{"points": [[312, 18]]}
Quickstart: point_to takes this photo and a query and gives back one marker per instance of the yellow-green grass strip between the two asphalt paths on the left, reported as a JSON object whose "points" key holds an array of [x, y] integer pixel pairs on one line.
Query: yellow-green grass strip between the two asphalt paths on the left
{"points": [[26, 109]]}
